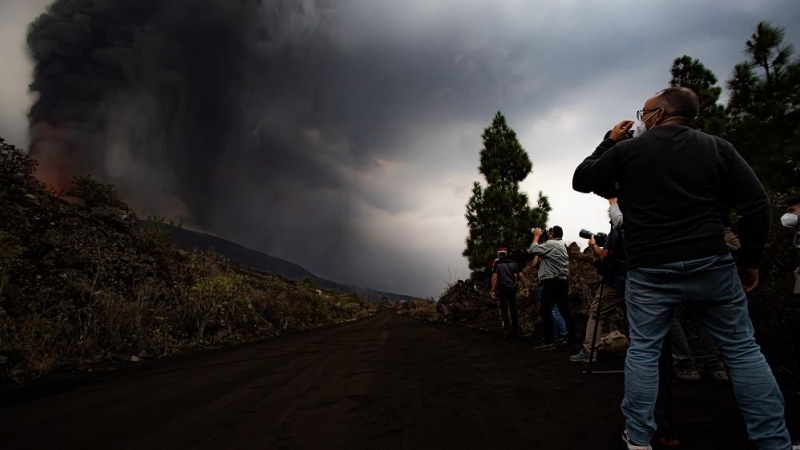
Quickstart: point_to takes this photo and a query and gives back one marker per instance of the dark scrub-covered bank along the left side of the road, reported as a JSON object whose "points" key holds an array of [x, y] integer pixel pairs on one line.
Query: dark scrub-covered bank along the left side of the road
{"points": [[85, 285]]}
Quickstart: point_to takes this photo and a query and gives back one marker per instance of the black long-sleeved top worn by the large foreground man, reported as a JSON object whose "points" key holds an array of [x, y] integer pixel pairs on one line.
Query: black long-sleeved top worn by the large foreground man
{"points": [[675, 184]]}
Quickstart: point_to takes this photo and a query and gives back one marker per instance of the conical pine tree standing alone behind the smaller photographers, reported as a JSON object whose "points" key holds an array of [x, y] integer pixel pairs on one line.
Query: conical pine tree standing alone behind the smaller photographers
{"points": [[499, 214]]}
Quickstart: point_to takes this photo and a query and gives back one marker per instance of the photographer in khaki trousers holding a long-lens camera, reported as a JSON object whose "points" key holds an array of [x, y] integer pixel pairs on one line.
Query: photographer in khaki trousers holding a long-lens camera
{"points": [[609, 251]]}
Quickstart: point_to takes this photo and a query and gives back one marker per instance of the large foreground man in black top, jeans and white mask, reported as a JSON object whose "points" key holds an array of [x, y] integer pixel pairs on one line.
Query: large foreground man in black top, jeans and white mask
{"points": [[675, 184]]}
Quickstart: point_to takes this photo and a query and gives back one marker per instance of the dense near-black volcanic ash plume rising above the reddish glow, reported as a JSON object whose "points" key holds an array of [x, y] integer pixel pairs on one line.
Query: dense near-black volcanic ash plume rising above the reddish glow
{"points": [[161, 97]]}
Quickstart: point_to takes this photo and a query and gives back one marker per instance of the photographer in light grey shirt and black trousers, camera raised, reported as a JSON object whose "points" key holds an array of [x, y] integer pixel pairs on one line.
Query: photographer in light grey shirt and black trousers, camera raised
{"points": [[553, 268]]}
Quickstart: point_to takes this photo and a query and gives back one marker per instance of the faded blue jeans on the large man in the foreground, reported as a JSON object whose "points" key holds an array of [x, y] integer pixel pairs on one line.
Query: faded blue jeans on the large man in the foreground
{"points": [[712, 289]]}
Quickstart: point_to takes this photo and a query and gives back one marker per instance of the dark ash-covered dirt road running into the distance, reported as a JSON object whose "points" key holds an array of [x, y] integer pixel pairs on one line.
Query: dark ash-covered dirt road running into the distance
{"points": [[386, 382]]}
